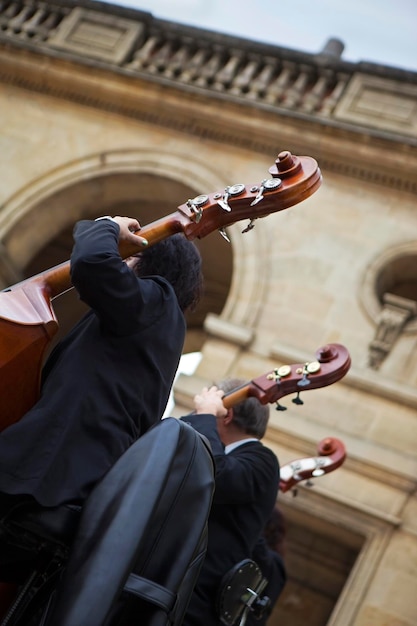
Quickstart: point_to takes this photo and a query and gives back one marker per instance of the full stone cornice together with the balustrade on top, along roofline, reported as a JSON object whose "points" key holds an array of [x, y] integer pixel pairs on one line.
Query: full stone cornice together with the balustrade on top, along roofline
{"points": [[106, 57]]}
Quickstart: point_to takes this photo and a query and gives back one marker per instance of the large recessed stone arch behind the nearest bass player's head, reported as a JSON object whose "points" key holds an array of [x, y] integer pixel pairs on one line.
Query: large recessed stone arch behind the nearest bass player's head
{"points": [[36, 224]]}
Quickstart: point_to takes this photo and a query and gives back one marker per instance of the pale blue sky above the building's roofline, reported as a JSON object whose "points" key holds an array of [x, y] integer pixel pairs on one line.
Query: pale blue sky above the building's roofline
{"points": [[378, 31]]}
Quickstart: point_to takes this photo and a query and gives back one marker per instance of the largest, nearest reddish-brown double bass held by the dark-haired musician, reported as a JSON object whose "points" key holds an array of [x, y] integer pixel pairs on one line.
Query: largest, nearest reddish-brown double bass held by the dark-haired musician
{"points": [[27, 319]]}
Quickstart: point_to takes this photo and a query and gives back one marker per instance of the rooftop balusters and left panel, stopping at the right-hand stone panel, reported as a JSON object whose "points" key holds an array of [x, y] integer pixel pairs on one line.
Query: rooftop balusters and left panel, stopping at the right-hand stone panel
{"points": [[201, 59]]}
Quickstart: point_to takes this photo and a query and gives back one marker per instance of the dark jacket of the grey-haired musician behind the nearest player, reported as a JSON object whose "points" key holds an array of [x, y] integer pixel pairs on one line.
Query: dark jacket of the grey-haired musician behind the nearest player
{"points": [[246, 487]]}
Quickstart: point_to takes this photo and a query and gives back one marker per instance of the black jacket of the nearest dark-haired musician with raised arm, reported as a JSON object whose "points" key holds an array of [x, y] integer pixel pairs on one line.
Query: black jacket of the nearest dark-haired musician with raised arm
{"points": [[104, 384]]}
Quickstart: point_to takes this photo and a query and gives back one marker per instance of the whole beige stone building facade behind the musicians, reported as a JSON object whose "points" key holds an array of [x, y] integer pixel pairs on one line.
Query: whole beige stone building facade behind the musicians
{"points": [[106, 110]]}
